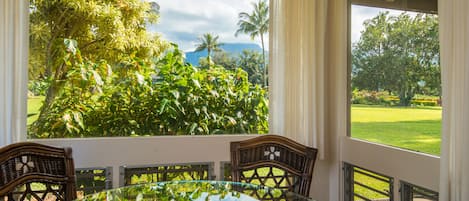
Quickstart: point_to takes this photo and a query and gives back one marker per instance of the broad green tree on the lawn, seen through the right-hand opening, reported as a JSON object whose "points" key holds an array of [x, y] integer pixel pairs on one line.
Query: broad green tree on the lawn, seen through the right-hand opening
{"points": [[399, 54]]}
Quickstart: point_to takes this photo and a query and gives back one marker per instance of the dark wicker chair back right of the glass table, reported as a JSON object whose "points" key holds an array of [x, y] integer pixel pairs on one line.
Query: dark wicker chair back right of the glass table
{"points": [[275, 161]]}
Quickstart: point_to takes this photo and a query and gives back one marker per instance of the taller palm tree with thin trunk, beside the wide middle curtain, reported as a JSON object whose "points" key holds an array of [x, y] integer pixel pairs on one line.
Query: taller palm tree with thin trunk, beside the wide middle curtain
{"points": [[256, 24]]}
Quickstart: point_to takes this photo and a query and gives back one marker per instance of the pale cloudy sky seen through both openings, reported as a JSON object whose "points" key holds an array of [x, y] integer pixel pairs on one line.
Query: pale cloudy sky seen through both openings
{"points": [[184, 21]]}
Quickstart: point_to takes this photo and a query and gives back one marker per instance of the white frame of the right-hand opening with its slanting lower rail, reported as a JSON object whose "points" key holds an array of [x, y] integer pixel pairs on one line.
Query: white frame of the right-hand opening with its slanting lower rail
{"points": [[403, 165]]}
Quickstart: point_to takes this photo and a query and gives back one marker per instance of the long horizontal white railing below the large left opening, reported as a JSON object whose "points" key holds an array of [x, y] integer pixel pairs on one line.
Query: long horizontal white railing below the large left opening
{"points": [[137, 151]]}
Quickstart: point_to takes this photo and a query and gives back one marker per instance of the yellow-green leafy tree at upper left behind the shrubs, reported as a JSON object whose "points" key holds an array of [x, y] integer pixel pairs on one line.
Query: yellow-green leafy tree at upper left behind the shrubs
{"points": [[103, 30]]}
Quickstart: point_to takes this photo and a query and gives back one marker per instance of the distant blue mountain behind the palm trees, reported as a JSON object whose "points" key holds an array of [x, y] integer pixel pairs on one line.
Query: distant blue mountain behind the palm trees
{"points": [[232, 48]]}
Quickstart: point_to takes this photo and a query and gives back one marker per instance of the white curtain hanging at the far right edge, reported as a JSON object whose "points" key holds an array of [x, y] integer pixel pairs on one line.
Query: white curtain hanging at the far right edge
{"points": [[454, 40]]}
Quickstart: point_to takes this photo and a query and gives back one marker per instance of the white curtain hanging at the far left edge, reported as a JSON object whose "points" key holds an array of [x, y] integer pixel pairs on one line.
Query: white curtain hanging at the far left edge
{"points": [[13, 70]]}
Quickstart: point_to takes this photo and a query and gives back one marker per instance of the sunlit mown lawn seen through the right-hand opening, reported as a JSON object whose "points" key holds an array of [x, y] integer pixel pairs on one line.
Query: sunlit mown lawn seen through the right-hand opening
{"points": [[417, 129]]}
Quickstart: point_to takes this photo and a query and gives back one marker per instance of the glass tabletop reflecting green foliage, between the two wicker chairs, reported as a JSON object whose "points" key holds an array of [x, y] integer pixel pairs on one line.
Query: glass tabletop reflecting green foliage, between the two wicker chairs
{"points": [[195, 190]]}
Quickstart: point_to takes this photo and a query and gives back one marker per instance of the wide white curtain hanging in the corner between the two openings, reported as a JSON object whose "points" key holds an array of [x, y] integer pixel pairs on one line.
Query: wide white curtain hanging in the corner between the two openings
{"points": [[299, 74]]}
